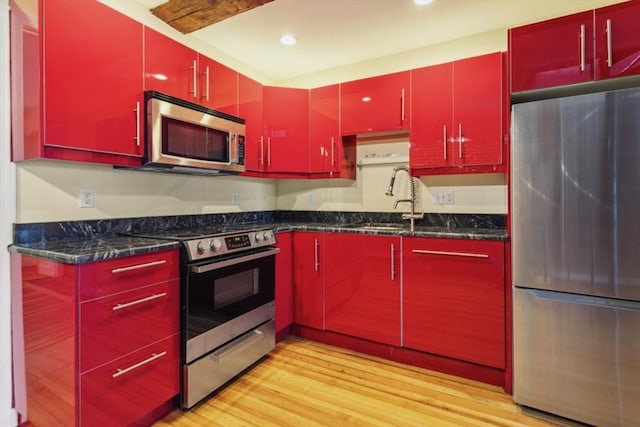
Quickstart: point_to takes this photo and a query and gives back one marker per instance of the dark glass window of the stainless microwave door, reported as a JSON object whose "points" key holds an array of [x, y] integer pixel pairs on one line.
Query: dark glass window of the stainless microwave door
{"points": [[194, 141]]}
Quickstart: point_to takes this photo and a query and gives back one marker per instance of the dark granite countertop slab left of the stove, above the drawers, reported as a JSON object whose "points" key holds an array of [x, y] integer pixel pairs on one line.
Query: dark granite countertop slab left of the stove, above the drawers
{"points": [[83, 251]]}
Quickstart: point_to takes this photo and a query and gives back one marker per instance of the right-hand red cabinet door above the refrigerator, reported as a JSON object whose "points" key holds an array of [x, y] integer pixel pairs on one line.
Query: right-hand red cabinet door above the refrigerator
{"points": [[617, 40]]}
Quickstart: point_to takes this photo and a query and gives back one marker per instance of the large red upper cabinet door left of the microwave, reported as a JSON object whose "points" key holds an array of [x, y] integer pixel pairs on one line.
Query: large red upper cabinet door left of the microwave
{"points": [[92, 78]]}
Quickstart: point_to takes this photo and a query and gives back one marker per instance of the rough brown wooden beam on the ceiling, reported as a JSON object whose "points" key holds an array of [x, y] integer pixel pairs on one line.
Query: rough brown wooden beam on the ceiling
{"points": [[187, 16]]}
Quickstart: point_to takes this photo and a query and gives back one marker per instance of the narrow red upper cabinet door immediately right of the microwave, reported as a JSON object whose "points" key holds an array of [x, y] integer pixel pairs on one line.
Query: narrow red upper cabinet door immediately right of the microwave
{"points": [[250, 108]]}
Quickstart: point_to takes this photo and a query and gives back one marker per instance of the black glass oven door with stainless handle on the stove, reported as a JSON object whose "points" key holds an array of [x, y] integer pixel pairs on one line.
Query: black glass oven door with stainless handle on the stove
{"points": [[227, 297]]}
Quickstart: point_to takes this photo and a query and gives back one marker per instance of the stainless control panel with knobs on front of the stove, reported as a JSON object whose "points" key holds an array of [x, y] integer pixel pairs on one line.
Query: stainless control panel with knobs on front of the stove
{"points": [[209, 246]]}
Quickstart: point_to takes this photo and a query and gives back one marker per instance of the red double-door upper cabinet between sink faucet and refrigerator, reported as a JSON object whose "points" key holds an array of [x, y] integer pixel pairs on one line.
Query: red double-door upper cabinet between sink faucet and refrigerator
{"points": [[457, 114]]}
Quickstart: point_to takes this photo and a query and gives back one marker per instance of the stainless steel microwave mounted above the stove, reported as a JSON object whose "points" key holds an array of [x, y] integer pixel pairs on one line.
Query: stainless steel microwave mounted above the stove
{"points": [[189, 138]]}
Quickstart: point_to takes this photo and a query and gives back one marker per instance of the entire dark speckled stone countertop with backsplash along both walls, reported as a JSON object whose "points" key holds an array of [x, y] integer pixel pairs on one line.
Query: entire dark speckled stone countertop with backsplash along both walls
{"points": [[78, 242]]}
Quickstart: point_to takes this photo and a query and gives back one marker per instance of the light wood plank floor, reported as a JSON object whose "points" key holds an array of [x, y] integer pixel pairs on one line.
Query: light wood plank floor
{"points": [[304, 383]]}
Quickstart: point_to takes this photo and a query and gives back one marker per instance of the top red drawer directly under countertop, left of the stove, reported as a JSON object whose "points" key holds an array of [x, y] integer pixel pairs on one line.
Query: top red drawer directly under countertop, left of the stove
{"points": [[122, 274]]}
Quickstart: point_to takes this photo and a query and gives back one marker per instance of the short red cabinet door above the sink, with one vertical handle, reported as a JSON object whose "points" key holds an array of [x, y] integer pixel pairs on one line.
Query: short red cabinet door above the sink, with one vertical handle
{"points": [[375, 104]]}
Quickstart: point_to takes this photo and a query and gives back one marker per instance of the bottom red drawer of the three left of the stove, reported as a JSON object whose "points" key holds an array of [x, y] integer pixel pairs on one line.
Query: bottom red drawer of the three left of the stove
{"points": [[120, 392]]}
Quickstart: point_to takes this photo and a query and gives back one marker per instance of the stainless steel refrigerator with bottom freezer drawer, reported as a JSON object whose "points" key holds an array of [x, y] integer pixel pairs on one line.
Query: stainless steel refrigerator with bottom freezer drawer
{"points": [[575, 192]]}
